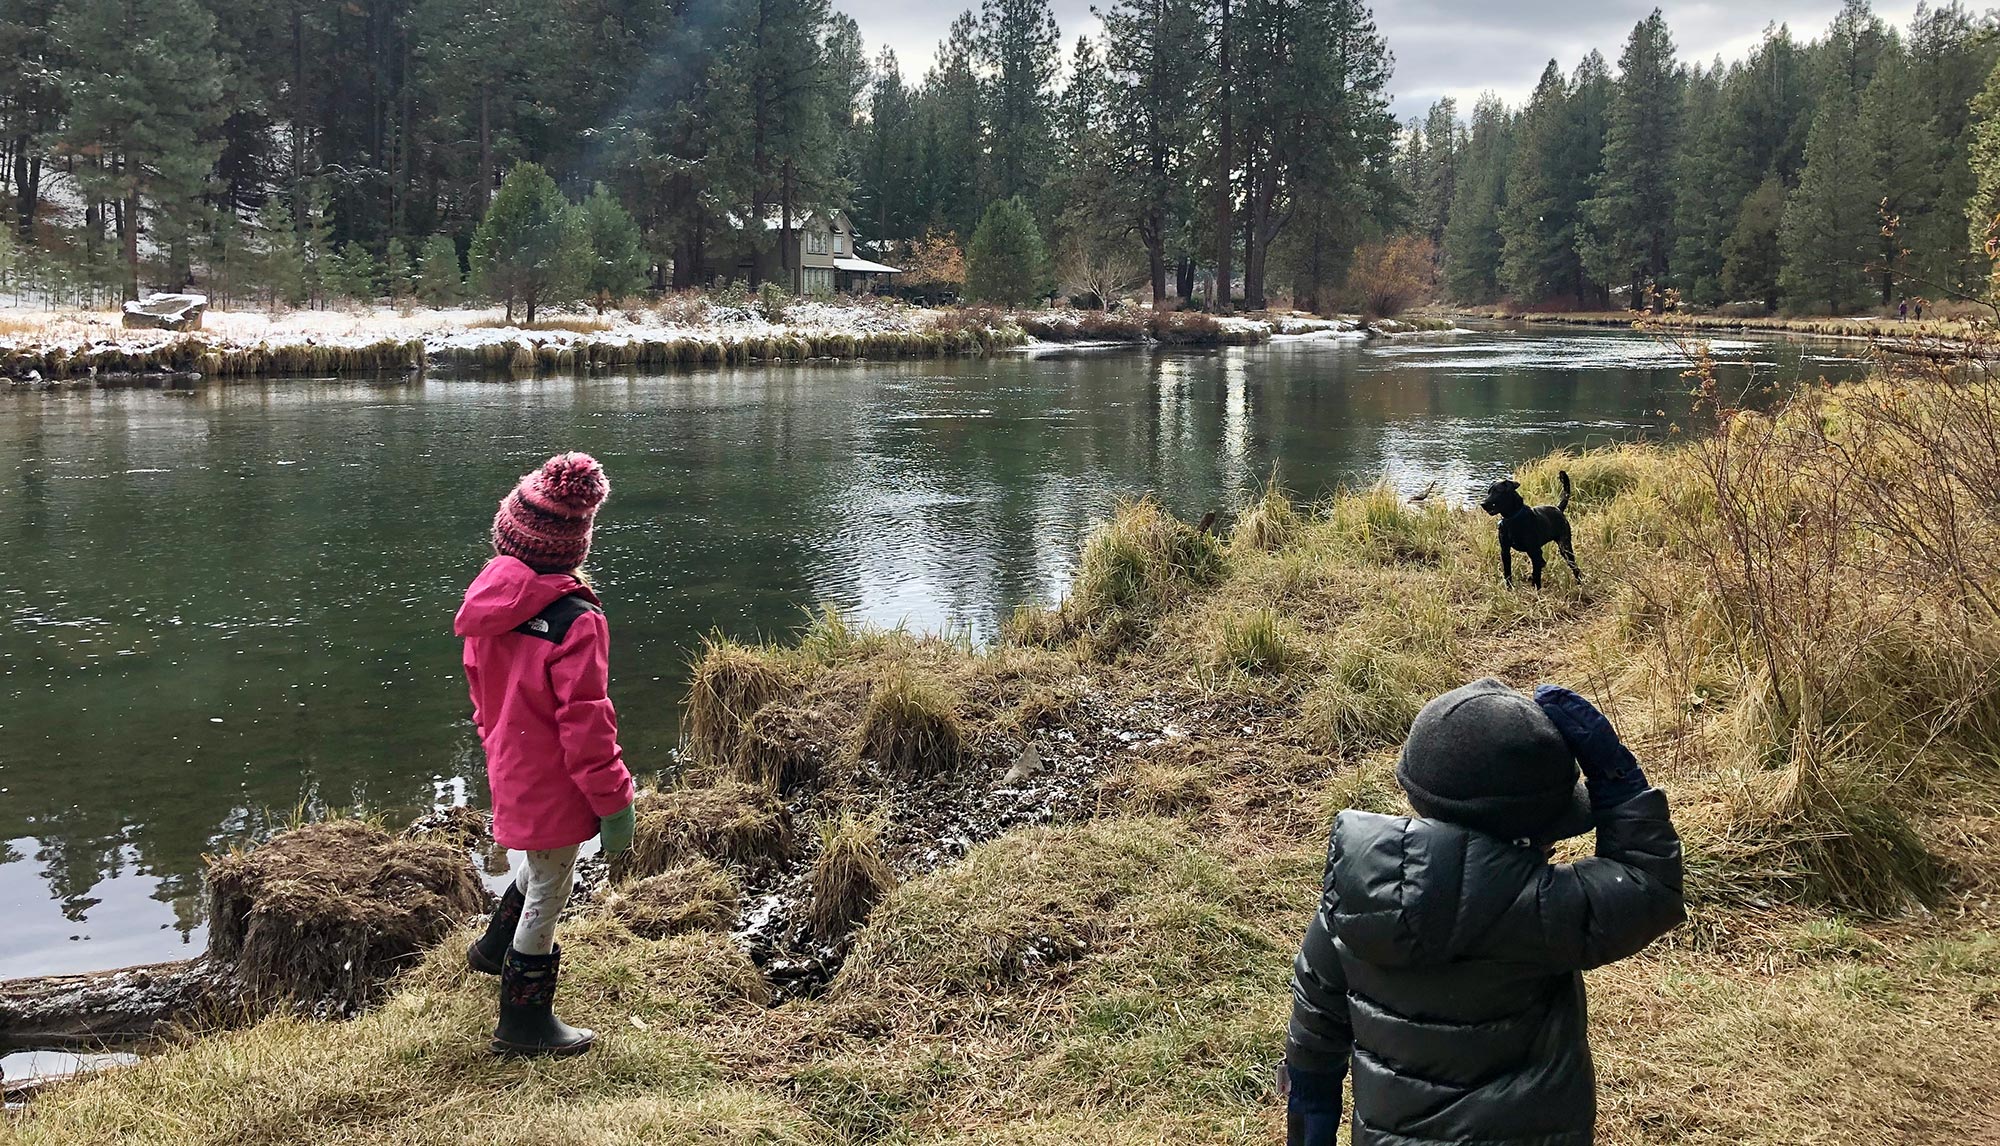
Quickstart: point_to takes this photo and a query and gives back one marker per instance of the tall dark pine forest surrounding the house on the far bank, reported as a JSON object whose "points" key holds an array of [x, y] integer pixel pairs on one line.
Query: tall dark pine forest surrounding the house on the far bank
{"points": [[315, 149]]}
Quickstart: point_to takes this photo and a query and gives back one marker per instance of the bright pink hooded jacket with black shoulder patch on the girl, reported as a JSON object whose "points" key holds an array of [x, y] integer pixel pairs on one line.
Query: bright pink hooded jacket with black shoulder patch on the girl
{"points": [[537, 659]]}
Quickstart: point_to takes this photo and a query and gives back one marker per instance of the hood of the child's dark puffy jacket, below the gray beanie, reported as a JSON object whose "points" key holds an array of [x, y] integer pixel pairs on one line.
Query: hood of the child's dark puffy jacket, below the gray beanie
{"points": [[1417, 893]]}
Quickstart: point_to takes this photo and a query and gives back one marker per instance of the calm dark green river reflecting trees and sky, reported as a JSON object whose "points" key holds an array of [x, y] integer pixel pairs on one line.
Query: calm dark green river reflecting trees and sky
{"points": [[227, 605]]}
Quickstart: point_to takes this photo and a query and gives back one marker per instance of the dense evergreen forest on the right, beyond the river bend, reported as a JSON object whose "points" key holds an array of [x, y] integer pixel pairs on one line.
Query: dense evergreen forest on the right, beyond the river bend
{"points": [[1853, 171]]}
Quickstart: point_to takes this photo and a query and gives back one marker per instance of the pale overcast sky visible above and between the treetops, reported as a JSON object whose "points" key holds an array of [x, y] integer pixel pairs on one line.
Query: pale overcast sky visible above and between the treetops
{"points": [[1443, 47]]}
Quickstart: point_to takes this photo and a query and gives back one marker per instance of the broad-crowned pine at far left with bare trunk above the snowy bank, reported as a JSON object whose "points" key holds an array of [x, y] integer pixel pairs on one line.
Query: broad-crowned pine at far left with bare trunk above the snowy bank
{"points": [[145, 103]]}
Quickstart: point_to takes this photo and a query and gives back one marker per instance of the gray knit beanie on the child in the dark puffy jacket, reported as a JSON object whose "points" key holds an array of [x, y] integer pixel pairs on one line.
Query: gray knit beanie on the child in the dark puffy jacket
{"points": [[1489, 759]]}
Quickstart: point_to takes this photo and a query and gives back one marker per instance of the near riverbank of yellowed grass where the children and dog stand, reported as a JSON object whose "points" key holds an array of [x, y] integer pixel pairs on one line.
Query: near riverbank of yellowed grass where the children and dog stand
{"points": [[1793, 621]]}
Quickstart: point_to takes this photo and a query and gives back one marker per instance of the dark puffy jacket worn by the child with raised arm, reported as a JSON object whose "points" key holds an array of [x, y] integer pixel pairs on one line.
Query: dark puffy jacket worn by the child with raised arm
{"points": [[1449, 965]]}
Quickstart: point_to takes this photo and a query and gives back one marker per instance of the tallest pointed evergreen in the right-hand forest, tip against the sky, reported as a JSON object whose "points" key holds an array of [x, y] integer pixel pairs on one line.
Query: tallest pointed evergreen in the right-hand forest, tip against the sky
{"points": [[1631, 219]]}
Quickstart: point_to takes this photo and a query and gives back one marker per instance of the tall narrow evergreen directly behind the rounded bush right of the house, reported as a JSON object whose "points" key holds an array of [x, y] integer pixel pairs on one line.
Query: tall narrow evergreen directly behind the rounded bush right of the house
{"points": [[1019, 53]]}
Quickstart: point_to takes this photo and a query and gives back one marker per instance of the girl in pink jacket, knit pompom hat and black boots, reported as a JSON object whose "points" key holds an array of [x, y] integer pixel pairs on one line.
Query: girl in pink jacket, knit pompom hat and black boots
{"points": [[537, 663]]}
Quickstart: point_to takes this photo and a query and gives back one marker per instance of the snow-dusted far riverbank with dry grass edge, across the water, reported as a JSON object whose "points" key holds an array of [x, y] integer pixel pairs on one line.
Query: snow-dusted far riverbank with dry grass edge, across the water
{"points": [[57, 349]]}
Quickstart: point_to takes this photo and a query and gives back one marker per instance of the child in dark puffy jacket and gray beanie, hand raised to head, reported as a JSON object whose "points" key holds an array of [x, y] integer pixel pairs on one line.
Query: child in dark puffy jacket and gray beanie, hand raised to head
{"points": [[1447, 957]]}
